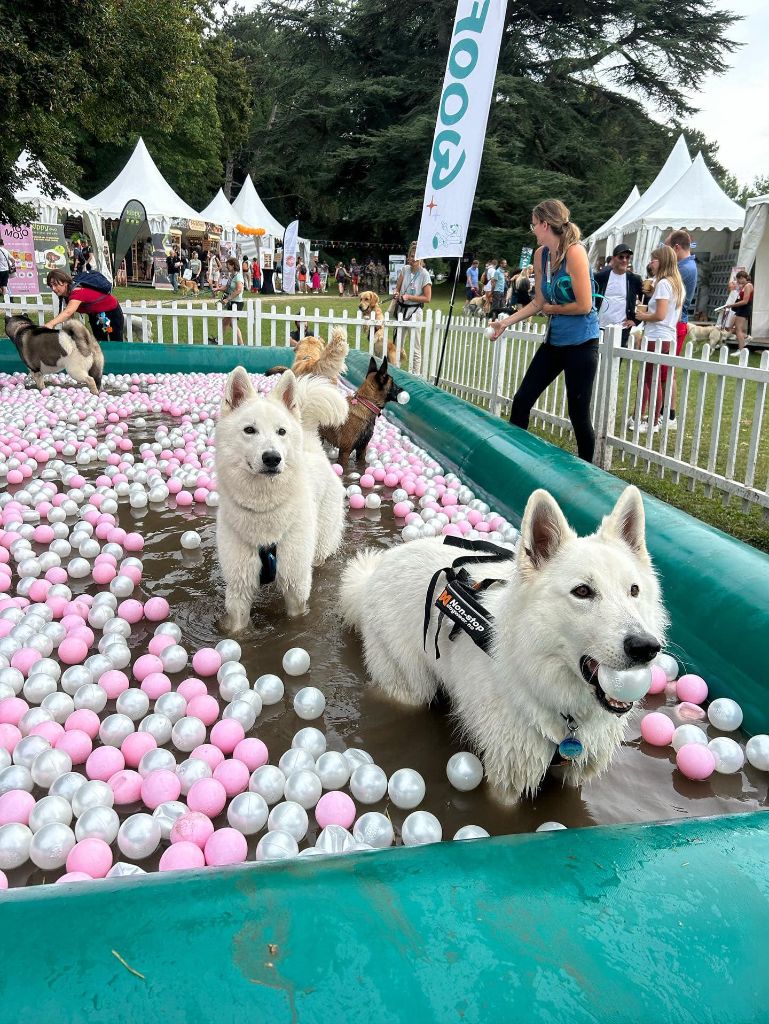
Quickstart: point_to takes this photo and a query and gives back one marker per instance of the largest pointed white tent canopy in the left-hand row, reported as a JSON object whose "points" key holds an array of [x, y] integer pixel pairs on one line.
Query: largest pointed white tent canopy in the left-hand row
{"points": [[141, 180]]}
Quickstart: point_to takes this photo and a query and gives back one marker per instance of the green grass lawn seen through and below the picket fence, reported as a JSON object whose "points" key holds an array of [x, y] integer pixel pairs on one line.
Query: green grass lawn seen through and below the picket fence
{"points": [[749, 525]]}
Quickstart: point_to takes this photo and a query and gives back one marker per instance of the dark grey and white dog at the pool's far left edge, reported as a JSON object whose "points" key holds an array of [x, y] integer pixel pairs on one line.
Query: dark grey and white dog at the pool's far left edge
{"points": [[46, 352]]}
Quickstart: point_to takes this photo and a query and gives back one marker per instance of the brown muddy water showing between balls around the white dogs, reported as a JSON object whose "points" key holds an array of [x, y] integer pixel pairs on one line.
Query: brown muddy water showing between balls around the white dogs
{"points": [[644, 784]]}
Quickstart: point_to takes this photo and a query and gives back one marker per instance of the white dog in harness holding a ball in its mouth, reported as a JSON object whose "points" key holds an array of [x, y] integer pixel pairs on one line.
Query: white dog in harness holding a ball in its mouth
{"points": [[566, 607]]}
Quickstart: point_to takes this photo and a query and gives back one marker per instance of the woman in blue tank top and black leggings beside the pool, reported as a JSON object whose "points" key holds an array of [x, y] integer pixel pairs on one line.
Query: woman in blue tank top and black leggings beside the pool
{"points": [[565, 293]]}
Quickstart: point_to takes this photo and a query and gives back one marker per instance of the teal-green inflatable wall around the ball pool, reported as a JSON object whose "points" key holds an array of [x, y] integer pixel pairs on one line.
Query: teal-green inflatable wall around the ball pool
{"points": [[660, 922]]}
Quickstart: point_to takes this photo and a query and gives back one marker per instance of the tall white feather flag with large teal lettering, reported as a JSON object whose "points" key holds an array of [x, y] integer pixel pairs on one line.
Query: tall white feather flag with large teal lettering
{"points": [[461, 127]]}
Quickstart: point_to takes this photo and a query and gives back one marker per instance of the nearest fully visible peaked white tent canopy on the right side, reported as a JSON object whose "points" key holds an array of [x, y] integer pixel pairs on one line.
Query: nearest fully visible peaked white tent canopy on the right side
{"points": [[696, 203]]}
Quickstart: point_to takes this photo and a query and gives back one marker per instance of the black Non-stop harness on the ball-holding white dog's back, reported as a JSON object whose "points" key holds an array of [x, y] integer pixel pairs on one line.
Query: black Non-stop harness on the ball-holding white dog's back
{"points": [[458, 601]]}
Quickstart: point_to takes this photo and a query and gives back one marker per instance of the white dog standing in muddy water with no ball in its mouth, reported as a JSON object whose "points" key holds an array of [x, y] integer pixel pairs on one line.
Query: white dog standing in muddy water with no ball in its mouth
{"points": [[277, 488]]}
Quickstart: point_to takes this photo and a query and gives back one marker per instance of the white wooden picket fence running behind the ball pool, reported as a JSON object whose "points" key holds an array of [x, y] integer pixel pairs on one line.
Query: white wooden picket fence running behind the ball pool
{"points": [[721, 406]]}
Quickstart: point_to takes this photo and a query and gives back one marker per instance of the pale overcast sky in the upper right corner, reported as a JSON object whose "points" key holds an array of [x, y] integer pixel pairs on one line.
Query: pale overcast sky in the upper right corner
{"points": [[734, 111]]}
